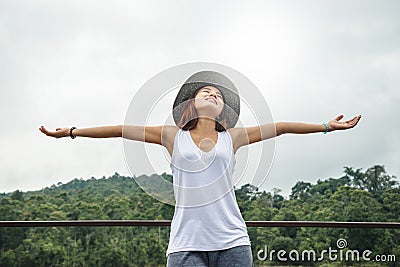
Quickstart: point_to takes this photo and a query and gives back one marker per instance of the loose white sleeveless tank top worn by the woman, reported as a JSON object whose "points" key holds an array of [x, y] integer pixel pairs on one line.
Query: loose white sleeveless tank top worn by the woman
{"points": [[207, 216]]}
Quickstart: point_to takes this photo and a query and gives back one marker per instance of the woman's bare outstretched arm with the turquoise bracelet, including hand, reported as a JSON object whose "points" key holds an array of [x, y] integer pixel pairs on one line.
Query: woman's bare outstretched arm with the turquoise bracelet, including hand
{"points": [[249, 135]]}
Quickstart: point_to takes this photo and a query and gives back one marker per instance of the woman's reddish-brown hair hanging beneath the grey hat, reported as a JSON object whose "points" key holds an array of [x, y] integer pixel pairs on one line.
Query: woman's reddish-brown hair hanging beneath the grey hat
{"points": [[189, 116]]}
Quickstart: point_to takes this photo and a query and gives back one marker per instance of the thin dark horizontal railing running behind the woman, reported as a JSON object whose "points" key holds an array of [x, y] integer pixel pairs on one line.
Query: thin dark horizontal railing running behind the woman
{"points": [[320, 224]]}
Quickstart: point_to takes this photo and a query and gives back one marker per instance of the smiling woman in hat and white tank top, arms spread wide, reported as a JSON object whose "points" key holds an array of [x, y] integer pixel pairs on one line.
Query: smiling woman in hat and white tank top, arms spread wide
{"points": [[207, 228]]}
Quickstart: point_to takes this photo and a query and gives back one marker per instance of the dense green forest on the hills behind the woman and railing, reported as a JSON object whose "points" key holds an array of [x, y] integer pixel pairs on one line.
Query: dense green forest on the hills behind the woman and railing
{"points": [[369, 196]]}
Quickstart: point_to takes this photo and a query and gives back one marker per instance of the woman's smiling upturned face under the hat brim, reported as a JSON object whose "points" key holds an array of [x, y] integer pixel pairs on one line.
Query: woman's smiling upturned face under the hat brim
{"points": [[209, 102]]}
